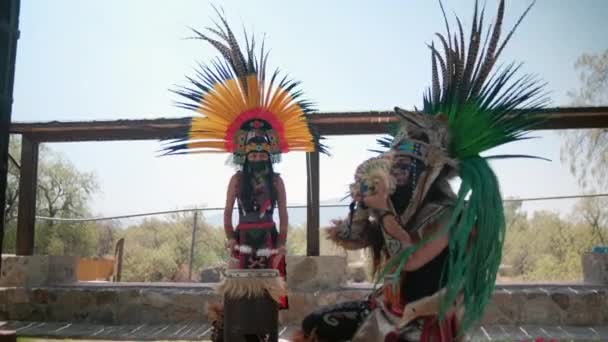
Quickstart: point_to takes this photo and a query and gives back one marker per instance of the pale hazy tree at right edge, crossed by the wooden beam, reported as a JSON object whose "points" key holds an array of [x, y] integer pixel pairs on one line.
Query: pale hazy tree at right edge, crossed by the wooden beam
{"points": [[587, 150]]}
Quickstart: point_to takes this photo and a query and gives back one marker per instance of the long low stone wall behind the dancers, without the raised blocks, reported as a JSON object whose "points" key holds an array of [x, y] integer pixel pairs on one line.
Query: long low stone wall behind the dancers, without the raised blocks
{"points": [[134, 304]]}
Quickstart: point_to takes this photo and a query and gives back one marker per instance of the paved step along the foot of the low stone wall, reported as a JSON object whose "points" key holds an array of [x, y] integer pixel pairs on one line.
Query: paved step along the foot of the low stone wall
{"points": [[197, 331]]}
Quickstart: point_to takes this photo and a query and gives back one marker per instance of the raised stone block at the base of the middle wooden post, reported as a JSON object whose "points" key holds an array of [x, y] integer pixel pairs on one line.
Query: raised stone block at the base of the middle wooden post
{"points": [[316, 273]]}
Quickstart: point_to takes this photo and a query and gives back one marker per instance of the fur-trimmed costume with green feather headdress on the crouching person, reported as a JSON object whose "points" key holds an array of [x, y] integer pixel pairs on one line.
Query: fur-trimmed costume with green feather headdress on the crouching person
{"points": [[469, 109]]}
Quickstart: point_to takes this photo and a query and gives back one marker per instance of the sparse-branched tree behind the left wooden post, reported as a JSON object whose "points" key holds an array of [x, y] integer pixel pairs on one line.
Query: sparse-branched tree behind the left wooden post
{"points": [[63, 191]]}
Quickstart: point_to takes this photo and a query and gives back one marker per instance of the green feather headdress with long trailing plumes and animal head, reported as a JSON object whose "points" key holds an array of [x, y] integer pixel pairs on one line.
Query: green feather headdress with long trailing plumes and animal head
{"points": [[470, 108]]}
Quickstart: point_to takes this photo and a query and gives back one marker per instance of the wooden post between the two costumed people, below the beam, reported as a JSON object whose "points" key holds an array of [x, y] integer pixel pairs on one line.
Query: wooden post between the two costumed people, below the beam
{"points": [[312, 205]]}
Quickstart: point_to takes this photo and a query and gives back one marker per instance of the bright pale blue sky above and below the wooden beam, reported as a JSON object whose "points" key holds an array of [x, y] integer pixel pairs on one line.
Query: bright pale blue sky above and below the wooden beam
{"points": [[116, 59]]}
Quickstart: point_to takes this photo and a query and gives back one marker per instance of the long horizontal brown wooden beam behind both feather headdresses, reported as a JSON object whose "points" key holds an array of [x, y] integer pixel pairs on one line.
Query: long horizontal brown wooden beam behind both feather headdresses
{"points": [[342, 123]]}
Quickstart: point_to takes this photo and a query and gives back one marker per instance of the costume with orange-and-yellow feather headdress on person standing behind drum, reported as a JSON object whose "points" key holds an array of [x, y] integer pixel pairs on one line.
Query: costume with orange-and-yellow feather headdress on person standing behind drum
{"points": [[244, 112]]}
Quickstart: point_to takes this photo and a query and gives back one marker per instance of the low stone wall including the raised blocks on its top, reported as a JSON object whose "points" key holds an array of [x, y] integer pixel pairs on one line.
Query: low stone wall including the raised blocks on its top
{"points": [[313, 282]]}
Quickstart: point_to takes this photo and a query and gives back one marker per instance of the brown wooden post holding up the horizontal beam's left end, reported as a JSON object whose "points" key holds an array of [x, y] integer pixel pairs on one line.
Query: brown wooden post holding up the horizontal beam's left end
{"points": [[26, 219]]}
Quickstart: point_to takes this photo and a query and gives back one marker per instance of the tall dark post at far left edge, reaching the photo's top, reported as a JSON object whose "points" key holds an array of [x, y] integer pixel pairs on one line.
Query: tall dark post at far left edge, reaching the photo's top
{"points": [[9, 34]]}
